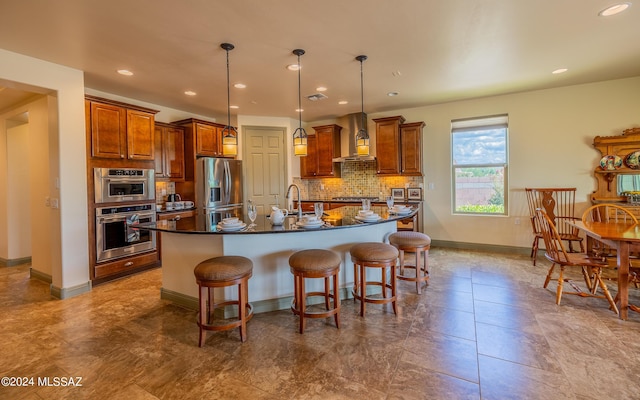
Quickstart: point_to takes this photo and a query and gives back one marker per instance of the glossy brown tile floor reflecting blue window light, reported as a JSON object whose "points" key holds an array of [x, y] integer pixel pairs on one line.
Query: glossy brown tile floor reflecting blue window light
{"points": [[484, 328]]}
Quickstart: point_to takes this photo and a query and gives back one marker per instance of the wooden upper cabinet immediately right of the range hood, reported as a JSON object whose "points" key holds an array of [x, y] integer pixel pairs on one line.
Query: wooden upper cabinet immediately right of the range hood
{"points": [[398, 146]]}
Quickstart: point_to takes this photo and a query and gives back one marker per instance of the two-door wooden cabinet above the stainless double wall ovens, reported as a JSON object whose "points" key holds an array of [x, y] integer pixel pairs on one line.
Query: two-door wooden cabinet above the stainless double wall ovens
{"points": [[119, 130]]}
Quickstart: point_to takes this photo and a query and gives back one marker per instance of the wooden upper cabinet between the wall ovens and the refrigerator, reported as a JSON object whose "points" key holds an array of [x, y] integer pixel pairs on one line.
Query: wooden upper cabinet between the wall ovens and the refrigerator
{"points": [[169, 152]]}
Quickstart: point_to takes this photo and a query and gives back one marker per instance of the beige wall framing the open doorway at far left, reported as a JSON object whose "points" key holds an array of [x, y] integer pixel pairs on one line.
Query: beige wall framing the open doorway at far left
{"points": [[66, 179]]}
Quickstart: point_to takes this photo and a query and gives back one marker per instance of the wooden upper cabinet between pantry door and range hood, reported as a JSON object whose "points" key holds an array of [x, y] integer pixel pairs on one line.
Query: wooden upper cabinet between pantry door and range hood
{"points": [[322, 147]]}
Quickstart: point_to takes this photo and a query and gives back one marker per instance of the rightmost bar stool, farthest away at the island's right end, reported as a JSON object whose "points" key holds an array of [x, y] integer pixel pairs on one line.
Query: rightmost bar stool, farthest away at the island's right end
{"points": [[413, 242]]}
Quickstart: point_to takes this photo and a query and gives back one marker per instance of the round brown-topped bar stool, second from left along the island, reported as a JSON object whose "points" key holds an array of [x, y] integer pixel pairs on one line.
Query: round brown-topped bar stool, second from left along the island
{"points": [[315, 263]]}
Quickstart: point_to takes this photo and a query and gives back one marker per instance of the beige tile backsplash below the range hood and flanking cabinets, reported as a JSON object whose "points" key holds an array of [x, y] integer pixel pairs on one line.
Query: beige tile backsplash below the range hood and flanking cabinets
{"points": [[358, 179]]}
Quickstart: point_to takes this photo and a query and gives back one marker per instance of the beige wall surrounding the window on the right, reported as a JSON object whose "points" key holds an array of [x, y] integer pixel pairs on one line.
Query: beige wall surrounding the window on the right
{"points": [[550, 144]]}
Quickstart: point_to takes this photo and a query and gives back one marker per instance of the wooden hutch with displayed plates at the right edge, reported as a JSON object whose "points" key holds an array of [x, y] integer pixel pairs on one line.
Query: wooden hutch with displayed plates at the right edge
{"points": [[618, 169]]}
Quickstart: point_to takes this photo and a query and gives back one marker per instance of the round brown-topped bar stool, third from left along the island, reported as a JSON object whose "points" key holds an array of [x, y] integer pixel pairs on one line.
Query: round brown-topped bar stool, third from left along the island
{"points": [[374, 255]]}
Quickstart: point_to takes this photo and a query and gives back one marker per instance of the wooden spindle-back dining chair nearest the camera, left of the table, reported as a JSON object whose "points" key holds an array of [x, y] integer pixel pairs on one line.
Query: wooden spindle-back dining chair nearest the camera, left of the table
{"points": [[591, 268]]}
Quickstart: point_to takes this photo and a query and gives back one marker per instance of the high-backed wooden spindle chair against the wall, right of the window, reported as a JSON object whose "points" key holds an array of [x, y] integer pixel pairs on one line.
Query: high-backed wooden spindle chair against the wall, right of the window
{"points": [[559, 204]]}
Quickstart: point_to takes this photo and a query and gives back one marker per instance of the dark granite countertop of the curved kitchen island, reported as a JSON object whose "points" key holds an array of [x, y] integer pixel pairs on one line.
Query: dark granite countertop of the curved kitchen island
{"points": [[339, 218]]}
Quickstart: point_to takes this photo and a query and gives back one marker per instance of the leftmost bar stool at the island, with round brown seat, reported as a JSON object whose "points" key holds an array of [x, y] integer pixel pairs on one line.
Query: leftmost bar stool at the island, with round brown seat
{"points": [[222, 272]]}
